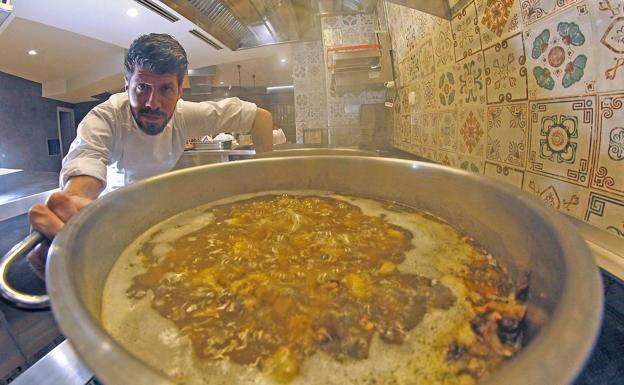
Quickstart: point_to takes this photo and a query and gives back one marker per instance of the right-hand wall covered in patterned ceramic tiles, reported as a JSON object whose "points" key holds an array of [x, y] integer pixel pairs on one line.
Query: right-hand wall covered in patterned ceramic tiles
{"points": [[528, 92]]}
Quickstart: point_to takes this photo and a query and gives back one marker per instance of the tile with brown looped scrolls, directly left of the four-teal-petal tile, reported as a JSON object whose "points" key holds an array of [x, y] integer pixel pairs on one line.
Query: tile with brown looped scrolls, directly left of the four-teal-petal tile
{"points": [[505, 71]]}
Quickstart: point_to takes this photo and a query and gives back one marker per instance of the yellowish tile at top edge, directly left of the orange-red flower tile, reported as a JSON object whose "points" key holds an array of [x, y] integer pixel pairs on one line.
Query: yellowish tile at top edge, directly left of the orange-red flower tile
{"points": [[466, 32]]}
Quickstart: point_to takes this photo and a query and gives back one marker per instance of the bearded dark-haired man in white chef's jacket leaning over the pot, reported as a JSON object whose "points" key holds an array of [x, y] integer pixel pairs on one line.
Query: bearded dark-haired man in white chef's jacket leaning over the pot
{"points": [[142, 130]]}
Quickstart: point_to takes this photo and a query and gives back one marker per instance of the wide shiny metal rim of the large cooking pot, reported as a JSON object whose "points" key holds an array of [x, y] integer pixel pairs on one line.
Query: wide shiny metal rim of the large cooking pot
{"points": [[560, 348]]}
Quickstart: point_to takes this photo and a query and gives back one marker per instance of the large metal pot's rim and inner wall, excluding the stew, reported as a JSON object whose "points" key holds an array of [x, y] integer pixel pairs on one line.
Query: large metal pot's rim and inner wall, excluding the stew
{"points": [[564, 306]]}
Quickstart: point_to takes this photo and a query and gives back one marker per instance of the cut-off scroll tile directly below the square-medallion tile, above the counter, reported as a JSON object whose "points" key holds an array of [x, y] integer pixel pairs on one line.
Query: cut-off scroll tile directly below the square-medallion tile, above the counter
{"points": [[566, 197]]}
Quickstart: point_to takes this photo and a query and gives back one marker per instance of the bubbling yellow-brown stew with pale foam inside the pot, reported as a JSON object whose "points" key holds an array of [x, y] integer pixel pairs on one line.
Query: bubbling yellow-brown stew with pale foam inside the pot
{"points": [[312, 288]]}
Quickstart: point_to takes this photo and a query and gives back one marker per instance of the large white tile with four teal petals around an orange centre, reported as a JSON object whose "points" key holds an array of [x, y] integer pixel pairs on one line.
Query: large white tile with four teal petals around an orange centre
{"points": [[561, 60]]}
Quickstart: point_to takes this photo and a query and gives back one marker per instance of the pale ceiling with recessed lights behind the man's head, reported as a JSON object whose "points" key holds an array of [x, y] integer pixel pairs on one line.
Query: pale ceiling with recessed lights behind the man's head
{"points": [[81, 44]]}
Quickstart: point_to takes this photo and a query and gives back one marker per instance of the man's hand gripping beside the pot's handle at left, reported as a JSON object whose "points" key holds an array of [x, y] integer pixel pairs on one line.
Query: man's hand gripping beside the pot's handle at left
{"points": [[50, 218]]}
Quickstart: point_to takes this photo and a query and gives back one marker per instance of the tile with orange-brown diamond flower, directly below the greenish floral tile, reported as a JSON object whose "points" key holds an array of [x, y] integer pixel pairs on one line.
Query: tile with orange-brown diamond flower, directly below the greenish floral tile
{"points": [[472, 131]]}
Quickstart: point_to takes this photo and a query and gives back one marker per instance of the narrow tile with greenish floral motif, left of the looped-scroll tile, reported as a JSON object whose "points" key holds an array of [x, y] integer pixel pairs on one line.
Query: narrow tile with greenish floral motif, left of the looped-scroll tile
{"points": [[472, 81]]}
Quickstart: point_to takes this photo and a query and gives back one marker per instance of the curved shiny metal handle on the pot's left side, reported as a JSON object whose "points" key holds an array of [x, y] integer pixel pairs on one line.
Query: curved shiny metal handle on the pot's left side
{"points": [[23, 300]]}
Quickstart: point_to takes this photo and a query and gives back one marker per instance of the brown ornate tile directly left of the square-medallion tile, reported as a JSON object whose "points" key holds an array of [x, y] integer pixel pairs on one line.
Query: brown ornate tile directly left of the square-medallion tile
{"points": [[507, 127]]}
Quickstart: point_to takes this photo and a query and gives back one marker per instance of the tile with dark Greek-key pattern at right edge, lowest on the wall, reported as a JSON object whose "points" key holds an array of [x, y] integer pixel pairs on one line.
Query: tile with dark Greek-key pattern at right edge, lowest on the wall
{"points": [[606, 213]]}
